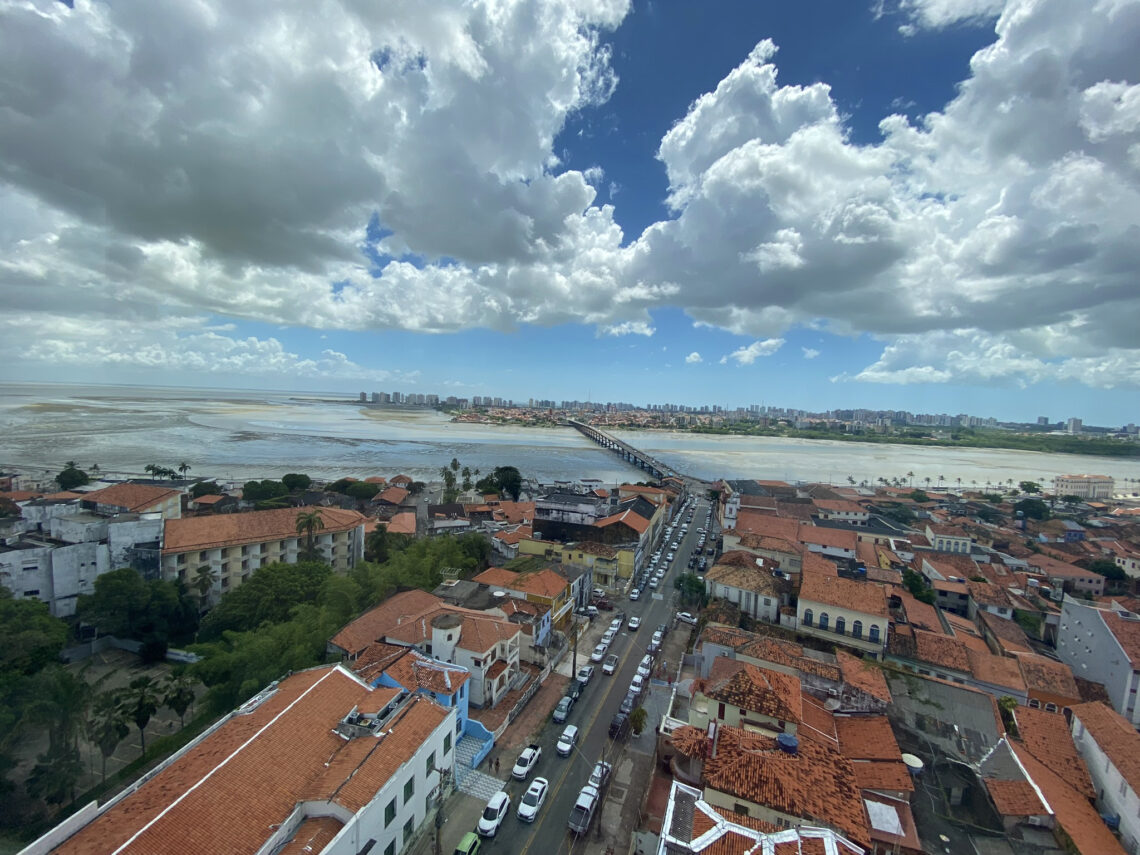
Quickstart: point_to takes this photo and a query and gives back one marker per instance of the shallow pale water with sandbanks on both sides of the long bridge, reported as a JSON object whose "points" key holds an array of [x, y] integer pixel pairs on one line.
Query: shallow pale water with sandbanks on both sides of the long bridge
{"points": [[237, 436]]}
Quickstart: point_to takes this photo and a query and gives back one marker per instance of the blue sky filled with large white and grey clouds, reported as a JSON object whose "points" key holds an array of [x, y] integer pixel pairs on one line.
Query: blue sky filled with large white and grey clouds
{"points": [[931, 206]]}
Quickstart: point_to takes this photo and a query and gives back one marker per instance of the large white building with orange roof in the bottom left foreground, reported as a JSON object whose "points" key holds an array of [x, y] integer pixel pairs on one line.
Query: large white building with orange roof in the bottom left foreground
{"points": [[321, 762]]}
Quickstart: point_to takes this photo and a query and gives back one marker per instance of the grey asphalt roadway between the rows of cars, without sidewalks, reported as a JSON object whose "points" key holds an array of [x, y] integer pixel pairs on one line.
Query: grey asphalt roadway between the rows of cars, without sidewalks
{"points": [[549, 834]]}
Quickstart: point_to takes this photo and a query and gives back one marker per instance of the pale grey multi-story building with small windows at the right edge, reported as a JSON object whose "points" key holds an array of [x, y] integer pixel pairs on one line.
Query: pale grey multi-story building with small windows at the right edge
{"points": [[1102, 642]]}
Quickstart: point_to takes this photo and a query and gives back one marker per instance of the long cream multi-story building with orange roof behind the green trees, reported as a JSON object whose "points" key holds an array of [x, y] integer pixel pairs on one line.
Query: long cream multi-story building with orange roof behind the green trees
{"points": [[235, 545]]}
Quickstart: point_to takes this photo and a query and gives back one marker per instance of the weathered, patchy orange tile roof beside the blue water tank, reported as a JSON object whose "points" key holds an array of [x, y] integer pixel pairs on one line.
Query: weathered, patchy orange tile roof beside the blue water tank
{"points": [[816, 784]]}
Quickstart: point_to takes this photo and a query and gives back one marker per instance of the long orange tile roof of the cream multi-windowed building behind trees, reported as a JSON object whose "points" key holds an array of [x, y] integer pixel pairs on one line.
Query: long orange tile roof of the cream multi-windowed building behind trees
{"points": [[218, 531]]}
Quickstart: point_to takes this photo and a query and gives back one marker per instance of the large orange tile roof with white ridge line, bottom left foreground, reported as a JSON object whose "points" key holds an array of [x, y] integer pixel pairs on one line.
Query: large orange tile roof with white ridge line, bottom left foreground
{"points": [[205, 800]]}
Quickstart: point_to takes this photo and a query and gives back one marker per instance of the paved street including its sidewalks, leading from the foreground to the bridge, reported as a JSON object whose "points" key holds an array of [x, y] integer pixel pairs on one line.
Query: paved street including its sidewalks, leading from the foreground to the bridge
{"points": [[592, 714]]}
